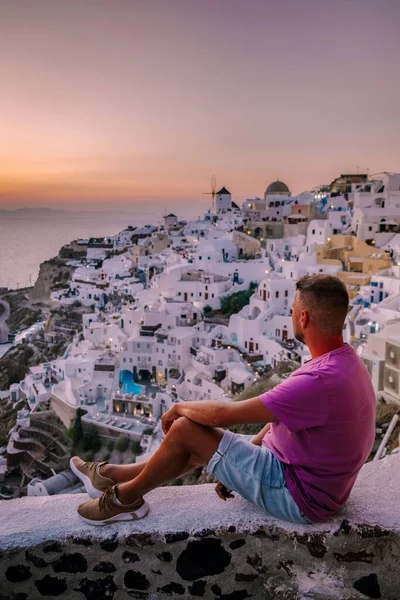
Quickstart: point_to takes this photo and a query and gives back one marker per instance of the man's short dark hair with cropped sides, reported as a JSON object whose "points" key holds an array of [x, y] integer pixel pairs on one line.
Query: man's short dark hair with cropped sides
{"points": [[327, 301]]}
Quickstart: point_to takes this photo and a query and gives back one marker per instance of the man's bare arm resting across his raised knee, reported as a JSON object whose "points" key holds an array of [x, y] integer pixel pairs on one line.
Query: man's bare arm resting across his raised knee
{"points": [[219, 414]]}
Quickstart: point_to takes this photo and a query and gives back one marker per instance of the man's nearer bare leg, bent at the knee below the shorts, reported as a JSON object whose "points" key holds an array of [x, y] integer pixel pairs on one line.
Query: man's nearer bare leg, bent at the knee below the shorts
{"points": [[184, 441]]}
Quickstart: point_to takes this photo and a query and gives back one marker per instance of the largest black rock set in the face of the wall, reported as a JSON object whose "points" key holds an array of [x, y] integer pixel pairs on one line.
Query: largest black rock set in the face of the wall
{"points": [[202, 558]]}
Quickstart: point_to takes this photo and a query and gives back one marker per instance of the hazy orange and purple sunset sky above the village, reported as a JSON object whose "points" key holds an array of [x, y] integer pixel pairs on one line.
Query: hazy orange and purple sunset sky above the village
{"points": [[110, 102]]}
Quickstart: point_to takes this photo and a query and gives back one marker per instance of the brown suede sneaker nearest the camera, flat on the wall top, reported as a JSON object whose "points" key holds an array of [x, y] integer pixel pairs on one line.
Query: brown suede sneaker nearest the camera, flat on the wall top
{"points": [[105, 510]]}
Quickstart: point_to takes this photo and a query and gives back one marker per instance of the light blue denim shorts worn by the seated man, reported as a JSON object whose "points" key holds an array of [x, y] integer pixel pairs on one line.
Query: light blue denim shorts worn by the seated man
{"points": [[255, 473]]}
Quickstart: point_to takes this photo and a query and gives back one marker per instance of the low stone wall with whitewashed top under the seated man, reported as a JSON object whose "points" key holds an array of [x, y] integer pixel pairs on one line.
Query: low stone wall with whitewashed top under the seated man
{"points": [[193, 545]]}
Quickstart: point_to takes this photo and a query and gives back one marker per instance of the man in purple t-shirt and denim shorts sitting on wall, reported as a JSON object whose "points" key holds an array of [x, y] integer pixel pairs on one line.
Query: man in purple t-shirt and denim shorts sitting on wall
{"points": [[301, 467]]}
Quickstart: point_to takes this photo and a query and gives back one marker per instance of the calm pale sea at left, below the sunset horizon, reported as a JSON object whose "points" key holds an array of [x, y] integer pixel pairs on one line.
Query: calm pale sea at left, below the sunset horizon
{"points": [[29, 237]]}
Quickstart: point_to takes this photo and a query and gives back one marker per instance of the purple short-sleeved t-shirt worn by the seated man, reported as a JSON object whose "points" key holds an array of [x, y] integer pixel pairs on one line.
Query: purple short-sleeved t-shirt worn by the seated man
{"points": [[326, 429]]}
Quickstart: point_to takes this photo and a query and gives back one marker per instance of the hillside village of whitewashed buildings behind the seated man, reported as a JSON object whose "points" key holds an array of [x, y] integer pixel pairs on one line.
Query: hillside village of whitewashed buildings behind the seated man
{"points": [[199, 310]]}
